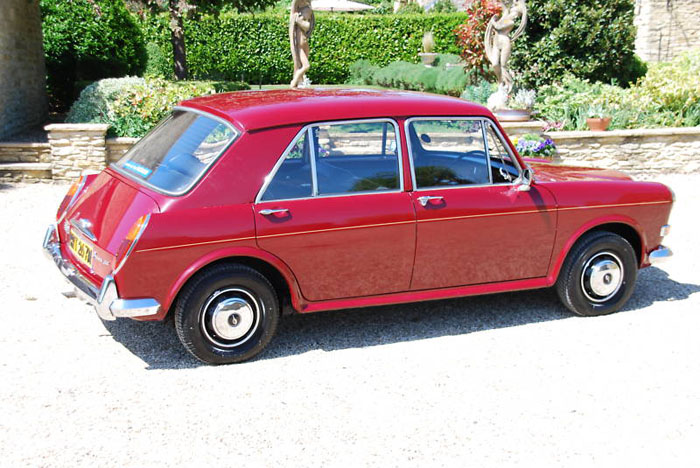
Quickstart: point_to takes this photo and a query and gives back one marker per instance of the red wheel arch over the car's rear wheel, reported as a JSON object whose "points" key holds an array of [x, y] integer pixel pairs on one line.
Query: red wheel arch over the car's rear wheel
{"points": [[274, 269]]}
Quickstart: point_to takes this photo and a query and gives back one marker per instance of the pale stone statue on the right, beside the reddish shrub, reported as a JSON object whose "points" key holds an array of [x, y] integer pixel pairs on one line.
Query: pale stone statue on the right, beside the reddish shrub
{"points": [[499, 43]]}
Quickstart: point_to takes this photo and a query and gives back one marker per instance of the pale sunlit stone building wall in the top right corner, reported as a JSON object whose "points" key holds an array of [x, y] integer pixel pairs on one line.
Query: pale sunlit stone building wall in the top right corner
{"points": [[665, 28]]}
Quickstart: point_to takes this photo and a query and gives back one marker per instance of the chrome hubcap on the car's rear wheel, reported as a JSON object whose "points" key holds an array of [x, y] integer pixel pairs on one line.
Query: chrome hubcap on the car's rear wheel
{"points": [[229, 316]]}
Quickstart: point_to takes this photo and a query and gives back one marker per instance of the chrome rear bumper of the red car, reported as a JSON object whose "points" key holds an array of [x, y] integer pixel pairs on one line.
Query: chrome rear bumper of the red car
{"points": [[105, 299]]}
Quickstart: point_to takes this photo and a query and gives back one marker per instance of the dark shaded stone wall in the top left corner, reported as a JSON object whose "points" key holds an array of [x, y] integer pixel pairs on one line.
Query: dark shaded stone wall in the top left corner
{"points": [[22, 73]]}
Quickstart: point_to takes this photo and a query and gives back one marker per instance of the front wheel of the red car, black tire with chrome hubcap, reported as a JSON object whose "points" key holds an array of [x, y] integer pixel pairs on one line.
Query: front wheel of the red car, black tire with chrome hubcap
{"points": [[588, 283]]}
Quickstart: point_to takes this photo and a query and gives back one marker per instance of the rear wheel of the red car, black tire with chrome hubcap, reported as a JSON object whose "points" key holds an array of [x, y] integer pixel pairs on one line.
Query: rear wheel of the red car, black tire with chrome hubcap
{"points": [[221, 303]]}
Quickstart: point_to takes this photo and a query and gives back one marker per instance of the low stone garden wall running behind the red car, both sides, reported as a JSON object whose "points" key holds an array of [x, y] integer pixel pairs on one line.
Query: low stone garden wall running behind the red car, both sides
{"points": [[75, 148]]}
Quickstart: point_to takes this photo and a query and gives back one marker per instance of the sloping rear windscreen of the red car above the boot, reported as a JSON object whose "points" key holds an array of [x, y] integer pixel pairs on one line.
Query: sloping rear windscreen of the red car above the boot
{"points": [[175, 154]]}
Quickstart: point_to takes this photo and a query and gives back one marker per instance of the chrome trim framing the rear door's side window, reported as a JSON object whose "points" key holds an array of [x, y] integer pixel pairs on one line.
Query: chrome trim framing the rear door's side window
{"points": [[308, 128]]}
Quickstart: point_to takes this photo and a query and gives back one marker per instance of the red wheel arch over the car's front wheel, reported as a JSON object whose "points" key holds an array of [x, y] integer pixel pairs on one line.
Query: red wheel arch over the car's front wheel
{"points": [[623, 226]]}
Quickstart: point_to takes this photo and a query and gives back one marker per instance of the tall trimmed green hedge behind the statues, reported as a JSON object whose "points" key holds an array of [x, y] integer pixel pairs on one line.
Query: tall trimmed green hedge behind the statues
{"points": [[255, 48]]}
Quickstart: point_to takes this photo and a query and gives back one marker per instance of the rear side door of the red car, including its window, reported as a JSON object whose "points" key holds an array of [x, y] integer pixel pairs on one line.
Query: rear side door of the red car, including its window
{"points": [[335, 212]]}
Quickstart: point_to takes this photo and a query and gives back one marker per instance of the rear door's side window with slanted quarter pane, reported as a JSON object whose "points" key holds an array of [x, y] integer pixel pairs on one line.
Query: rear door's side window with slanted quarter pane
{"points": [[339, 158]]}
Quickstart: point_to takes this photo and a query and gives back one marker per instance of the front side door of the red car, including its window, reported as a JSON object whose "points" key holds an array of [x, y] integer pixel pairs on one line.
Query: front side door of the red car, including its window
{"points": [[473, 225]]}
